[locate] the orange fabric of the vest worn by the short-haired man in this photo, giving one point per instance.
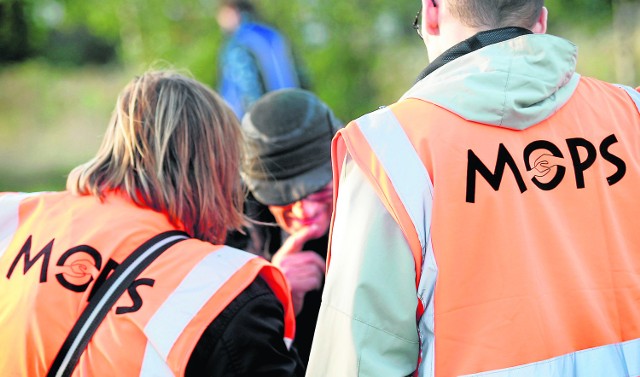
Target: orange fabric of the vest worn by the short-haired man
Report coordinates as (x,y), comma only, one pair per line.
(527,276)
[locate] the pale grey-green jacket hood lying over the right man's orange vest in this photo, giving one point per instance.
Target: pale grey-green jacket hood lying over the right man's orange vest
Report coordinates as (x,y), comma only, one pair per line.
(512,84)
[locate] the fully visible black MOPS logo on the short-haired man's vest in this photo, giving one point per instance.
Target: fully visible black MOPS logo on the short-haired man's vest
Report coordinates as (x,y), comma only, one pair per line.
(545,164)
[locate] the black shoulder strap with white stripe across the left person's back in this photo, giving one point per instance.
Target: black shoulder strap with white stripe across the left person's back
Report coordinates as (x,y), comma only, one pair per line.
(104,299)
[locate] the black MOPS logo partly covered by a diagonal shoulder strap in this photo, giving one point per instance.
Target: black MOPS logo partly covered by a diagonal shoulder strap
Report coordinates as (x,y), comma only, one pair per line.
(76,270)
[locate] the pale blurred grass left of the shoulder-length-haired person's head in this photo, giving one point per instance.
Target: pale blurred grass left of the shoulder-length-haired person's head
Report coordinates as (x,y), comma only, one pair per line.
(53,119)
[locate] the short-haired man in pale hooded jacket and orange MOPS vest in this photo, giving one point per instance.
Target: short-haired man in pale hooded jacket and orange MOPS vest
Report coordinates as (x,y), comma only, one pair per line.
(485,224)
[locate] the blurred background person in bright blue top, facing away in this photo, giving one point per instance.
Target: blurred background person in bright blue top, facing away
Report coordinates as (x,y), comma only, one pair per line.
(255,58)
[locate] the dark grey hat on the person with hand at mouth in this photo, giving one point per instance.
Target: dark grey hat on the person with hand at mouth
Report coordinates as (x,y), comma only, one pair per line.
(288,136)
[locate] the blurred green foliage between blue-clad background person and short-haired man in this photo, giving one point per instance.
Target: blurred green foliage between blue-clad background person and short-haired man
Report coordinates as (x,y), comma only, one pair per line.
(339,40)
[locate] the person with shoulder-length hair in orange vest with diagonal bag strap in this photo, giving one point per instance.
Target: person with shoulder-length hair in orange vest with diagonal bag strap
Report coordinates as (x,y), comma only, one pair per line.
(168,169)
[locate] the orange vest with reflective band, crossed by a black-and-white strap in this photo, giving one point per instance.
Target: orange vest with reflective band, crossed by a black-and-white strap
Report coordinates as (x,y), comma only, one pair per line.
(56,247)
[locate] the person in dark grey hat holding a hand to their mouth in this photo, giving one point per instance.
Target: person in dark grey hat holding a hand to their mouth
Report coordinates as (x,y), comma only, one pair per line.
(287,169)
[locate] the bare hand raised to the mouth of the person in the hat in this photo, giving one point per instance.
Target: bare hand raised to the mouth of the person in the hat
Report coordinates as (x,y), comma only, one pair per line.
(304,270)
